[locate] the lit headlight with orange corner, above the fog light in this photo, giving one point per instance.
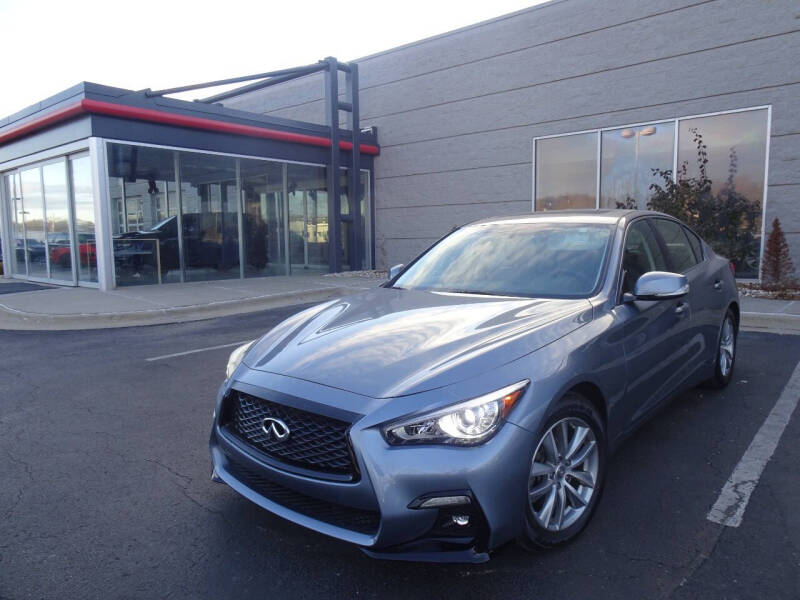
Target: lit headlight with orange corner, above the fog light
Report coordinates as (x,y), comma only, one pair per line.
(466,423)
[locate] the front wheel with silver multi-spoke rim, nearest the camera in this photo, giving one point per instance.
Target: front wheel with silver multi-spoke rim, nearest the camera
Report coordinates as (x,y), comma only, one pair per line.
(576,412)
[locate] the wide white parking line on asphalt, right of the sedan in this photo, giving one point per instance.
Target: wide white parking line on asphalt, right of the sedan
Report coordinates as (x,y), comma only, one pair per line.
(730,506)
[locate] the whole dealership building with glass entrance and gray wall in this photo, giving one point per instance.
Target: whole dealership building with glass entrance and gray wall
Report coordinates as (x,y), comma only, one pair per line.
(569,104)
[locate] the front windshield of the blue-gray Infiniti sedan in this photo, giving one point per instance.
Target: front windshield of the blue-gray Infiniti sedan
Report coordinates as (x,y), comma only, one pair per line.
(560,260)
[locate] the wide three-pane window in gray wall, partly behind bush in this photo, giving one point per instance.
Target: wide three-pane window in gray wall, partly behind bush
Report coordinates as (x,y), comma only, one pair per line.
(723,152)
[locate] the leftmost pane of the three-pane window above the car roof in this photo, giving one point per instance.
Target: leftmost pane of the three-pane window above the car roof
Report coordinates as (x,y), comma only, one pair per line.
(566,172)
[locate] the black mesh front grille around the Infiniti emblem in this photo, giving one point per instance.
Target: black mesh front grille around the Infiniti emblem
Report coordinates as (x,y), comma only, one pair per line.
(315,441)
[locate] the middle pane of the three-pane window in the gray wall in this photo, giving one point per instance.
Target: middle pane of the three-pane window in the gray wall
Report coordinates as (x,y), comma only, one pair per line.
(632,158)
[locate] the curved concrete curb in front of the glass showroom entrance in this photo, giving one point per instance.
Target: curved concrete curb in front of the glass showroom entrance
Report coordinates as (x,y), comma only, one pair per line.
(16,320)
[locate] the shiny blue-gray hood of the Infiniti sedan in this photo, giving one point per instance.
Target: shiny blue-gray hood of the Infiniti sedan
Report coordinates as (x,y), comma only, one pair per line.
(389,342)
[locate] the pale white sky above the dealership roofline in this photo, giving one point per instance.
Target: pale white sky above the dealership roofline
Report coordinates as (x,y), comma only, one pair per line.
(48,46)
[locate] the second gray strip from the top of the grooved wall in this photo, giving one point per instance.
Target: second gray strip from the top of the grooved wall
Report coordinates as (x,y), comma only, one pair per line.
(598,52)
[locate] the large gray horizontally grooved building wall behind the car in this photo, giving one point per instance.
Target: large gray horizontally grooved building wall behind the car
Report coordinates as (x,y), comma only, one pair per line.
(457,113)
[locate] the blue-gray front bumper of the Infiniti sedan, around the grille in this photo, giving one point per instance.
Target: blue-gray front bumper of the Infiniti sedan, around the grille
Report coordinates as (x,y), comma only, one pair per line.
(373,511)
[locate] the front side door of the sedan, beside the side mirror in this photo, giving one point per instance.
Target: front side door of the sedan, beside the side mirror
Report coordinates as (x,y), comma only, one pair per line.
(655,332)
